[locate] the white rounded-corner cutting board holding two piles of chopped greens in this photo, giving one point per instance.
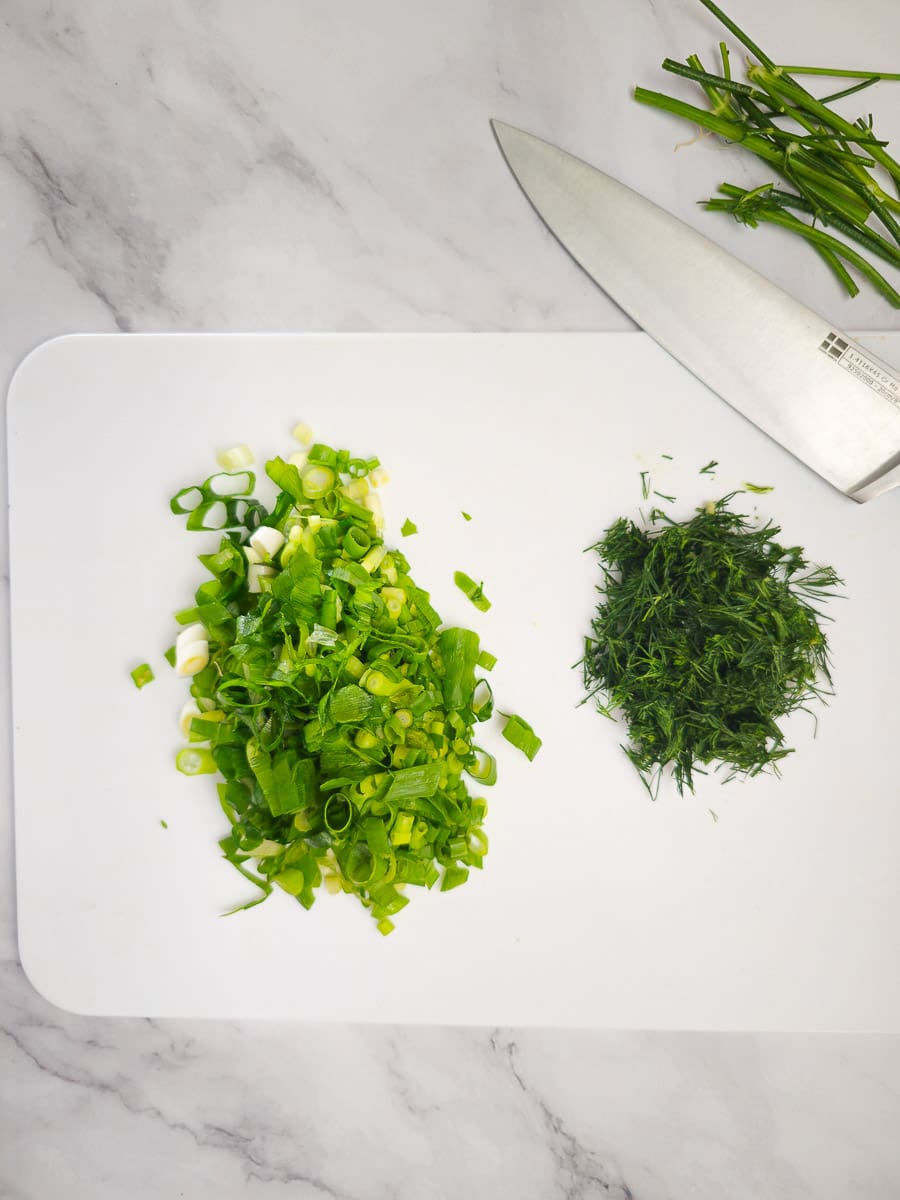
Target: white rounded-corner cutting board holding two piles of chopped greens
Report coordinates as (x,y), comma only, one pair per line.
(597,908)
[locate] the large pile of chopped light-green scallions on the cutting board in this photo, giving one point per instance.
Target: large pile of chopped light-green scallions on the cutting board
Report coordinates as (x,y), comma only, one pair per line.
(338,711)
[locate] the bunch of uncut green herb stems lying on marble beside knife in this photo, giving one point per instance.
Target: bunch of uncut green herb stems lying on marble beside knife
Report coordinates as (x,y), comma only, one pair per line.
(842,182)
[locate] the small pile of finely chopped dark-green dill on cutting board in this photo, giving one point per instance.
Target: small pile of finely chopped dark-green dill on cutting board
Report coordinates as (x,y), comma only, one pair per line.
(706,635)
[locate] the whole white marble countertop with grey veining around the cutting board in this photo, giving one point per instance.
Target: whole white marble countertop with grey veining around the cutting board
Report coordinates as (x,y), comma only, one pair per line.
(291,165)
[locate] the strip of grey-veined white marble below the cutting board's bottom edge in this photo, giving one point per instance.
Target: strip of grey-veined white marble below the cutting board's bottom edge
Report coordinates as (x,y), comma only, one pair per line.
(212,1109)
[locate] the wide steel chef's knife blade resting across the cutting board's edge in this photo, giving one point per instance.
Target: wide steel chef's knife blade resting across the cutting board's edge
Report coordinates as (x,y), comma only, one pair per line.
(812,388)
